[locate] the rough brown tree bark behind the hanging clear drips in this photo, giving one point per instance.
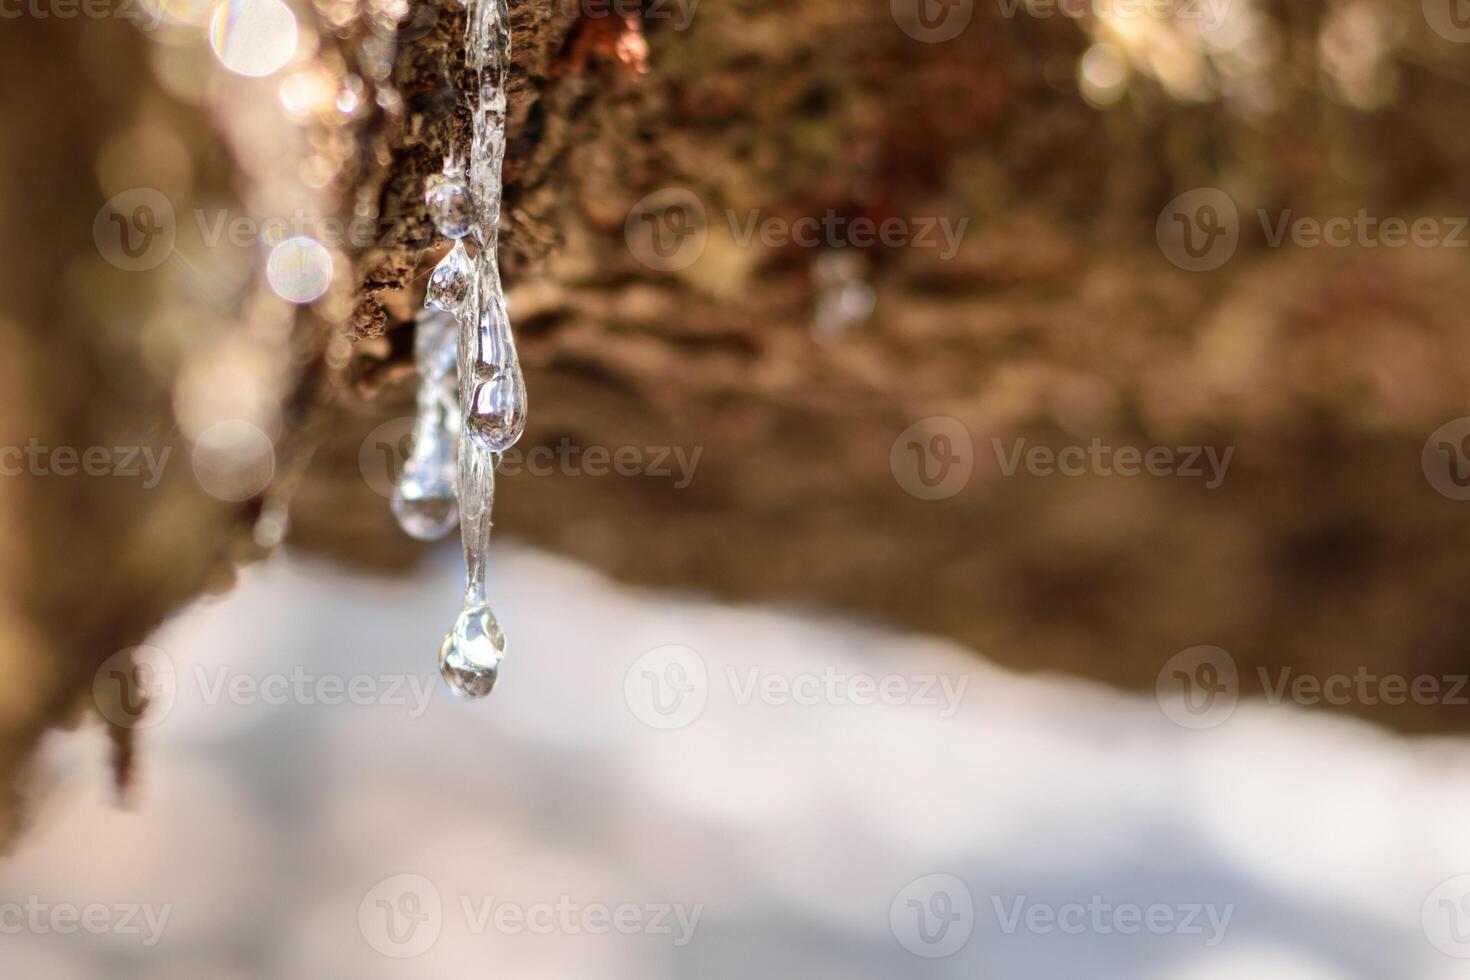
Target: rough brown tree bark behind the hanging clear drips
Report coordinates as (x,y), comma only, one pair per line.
(1059,320)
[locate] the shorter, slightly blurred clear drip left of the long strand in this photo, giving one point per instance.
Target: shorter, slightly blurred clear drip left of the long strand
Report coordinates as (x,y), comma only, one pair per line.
(426,499)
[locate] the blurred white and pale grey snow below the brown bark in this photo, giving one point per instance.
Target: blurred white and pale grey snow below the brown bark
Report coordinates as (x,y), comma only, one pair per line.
(664,787)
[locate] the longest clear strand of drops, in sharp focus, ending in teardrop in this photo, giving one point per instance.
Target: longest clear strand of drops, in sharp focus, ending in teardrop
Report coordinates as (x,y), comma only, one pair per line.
(492,390)
